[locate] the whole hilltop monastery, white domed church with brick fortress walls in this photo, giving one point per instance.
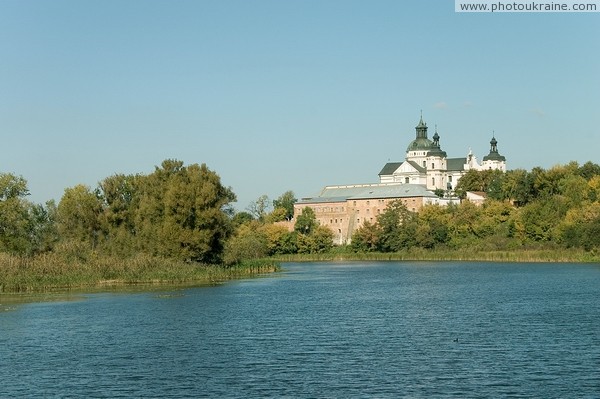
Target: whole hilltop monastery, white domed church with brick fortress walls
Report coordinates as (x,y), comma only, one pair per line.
(426,168)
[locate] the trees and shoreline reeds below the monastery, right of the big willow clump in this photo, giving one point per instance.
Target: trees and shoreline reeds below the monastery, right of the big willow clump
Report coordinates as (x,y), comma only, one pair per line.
(537,215)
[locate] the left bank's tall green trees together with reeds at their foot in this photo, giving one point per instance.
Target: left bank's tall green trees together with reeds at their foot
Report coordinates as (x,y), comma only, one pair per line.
(170,226)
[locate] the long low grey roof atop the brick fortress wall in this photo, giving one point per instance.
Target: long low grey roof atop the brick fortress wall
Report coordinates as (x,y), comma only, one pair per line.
(368,191)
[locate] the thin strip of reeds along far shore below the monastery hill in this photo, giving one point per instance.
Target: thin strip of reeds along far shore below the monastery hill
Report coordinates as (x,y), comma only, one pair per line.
(521,255)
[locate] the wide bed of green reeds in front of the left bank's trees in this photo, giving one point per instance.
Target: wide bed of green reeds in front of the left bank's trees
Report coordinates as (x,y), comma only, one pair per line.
(54,272)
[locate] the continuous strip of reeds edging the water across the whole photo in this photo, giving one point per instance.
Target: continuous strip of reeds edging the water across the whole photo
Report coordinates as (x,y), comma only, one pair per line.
(51,275)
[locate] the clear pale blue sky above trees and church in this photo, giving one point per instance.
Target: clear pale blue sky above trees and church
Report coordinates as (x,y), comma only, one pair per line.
(285,94)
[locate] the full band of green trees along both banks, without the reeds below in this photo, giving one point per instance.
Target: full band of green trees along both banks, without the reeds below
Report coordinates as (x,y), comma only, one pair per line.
(185,213)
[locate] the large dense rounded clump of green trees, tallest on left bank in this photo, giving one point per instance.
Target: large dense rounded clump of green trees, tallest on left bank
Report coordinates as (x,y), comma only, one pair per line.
(177,212)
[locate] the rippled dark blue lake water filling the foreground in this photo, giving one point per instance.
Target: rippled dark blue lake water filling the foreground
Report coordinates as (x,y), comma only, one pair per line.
(319,330)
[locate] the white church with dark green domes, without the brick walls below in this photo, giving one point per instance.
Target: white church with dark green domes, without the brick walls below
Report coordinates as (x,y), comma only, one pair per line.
(426,164)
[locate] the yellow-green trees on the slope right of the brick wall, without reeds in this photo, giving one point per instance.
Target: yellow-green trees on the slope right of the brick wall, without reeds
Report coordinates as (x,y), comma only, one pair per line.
(542,208)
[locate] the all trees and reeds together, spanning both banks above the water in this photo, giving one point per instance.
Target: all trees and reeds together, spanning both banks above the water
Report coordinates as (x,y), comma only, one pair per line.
(177,225)
